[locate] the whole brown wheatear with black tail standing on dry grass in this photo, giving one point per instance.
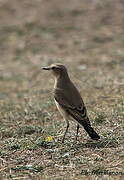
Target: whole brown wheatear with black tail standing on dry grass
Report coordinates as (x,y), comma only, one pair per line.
(69,101)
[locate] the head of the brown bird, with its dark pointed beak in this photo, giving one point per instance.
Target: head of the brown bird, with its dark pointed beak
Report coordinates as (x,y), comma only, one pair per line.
(57,69)
